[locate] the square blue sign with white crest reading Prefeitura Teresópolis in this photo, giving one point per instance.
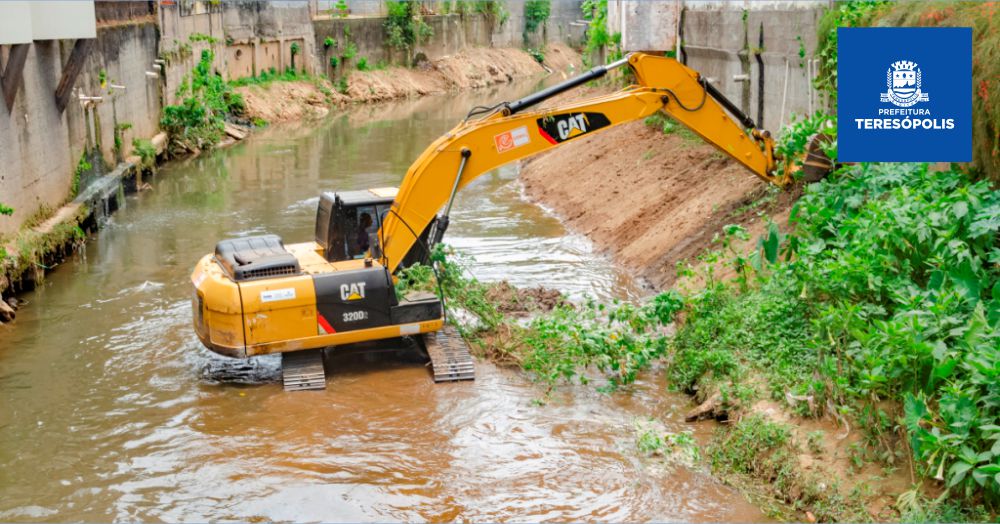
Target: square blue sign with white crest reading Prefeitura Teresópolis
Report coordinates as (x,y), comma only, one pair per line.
(904,94)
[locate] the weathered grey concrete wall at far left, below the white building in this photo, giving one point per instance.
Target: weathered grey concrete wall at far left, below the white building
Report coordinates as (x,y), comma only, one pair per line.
(40,146)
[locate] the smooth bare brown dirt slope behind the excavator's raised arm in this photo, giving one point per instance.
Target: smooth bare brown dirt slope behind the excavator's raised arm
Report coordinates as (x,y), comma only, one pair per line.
(649,199)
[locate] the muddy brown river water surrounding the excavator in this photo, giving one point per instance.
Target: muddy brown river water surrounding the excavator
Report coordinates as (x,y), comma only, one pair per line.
(111,410)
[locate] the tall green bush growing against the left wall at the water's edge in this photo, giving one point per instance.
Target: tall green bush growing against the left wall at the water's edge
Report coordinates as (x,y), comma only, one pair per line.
(198,122)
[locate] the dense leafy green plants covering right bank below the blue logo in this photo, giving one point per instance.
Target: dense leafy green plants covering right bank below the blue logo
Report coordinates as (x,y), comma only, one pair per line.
(889,288)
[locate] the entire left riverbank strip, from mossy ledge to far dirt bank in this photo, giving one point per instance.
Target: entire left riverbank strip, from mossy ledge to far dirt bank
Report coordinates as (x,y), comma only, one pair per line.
(55,233)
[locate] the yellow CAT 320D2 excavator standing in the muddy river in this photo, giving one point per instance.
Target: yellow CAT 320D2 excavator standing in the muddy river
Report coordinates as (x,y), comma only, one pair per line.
(256,295)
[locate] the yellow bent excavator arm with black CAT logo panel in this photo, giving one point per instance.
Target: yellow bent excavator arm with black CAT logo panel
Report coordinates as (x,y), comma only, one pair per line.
(511,132)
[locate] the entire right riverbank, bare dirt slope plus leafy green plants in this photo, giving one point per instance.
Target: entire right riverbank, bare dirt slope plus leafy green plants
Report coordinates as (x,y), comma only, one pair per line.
(798,336)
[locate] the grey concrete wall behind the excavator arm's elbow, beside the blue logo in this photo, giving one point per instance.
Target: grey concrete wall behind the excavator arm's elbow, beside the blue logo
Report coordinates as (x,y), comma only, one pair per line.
(724,39)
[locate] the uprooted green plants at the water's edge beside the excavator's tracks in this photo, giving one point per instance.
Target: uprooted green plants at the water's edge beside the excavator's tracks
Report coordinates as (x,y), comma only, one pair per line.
(619,340)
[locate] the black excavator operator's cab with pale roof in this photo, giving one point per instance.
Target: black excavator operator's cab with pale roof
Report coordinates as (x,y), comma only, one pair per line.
(347,222)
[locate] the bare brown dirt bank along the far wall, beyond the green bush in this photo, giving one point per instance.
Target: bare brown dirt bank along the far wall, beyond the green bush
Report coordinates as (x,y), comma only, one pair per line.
(470,69)
